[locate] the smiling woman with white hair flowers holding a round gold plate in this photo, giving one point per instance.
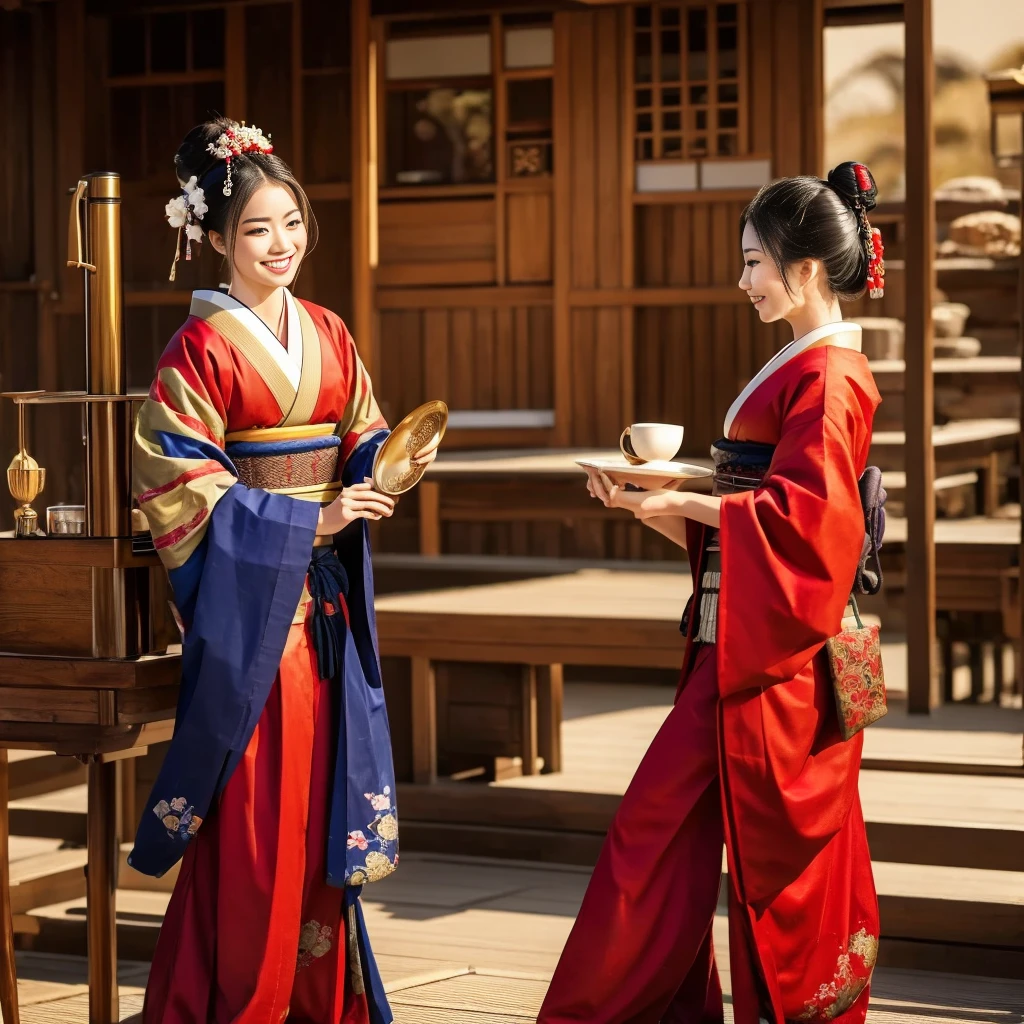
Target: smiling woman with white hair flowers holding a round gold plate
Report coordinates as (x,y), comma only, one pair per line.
(253,464)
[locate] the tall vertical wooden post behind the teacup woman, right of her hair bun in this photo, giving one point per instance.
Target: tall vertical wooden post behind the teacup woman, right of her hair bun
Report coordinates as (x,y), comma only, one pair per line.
(923,681)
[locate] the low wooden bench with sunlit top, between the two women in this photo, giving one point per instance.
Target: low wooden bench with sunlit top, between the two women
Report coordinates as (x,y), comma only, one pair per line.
(475,674)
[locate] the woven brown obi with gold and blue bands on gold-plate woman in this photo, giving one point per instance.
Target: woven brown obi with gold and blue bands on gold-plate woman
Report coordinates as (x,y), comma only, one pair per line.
(300,461)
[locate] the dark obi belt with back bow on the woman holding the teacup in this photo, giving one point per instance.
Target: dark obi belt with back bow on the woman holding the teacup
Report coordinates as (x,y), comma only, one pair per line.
(743,466)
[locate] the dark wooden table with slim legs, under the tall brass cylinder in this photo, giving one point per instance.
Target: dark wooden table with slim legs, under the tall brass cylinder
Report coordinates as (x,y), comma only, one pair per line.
(74,616)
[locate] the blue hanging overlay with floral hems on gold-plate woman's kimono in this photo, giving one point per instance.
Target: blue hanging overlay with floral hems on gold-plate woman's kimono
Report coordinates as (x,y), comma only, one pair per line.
(238,595)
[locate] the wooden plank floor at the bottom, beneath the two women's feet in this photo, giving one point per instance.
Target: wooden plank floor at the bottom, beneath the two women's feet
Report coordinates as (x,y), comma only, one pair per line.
(463,942)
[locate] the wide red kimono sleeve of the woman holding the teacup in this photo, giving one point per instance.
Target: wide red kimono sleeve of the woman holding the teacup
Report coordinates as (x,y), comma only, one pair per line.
(790,549)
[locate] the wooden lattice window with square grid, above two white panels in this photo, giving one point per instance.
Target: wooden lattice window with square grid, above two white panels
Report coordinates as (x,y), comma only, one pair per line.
(690,80)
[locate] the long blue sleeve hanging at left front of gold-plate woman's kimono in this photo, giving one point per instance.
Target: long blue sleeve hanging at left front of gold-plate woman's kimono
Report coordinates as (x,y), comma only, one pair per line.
(258,552)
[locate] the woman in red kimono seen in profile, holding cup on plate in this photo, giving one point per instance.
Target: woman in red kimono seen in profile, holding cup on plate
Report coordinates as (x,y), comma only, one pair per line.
(751,754)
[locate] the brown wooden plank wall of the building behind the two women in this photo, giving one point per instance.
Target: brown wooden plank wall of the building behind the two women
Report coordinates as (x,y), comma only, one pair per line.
(568,294)
